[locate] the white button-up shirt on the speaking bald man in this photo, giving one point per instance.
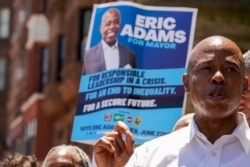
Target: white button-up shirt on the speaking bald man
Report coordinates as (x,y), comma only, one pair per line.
(188,147)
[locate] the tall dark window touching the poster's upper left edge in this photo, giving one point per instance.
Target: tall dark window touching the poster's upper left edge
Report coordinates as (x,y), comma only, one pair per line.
(85,16)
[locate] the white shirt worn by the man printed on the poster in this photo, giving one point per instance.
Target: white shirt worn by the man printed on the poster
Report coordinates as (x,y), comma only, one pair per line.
(111,55)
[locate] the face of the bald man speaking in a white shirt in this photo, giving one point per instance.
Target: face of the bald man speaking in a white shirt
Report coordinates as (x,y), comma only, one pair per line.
(215,81)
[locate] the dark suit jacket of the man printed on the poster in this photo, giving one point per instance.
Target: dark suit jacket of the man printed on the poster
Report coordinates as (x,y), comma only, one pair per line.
(94,59)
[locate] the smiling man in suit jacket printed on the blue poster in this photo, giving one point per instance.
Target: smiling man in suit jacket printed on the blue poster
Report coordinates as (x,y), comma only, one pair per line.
(109,53)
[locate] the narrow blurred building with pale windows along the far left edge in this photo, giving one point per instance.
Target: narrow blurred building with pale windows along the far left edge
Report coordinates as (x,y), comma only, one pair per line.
(5,25)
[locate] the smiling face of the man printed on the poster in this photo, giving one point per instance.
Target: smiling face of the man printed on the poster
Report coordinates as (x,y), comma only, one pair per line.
(110,26)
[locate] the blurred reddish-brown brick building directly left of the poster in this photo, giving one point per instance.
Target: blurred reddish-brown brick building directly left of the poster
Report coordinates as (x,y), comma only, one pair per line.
(46,56)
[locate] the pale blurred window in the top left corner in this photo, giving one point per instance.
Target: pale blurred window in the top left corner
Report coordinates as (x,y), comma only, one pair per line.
(4,22)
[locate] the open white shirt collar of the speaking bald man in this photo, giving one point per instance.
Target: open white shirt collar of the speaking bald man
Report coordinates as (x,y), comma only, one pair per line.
(242,131)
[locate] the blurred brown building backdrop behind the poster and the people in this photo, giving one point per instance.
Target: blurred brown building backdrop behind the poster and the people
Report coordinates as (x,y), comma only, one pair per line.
(41,49)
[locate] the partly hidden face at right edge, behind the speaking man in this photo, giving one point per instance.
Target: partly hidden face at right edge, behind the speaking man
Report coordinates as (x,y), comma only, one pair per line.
(245,101)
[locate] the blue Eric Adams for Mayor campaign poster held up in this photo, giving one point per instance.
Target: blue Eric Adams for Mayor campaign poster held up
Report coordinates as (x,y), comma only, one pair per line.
(133,64)
